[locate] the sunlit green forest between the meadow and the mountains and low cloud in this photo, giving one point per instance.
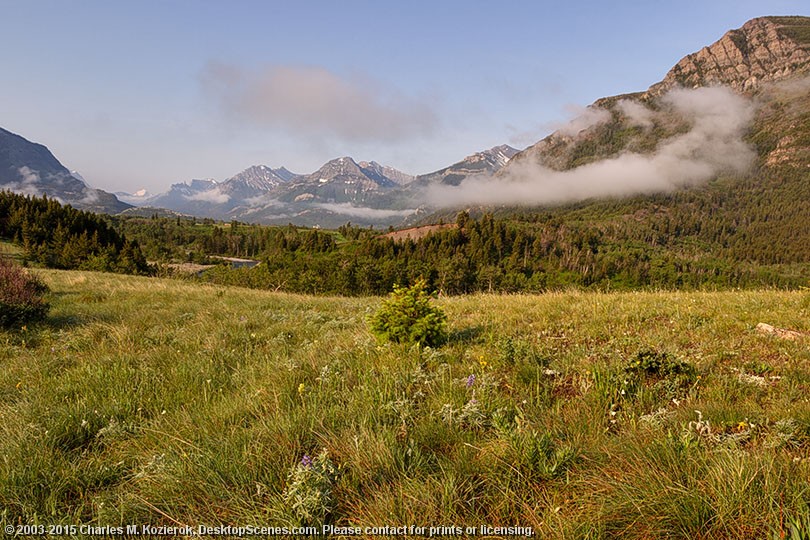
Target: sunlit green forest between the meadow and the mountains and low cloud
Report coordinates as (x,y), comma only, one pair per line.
(688,239)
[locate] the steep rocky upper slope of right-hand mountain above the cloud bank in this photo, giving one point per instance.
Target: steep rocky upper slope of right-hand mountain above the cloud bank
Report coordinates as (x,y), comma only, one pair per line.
(764,50)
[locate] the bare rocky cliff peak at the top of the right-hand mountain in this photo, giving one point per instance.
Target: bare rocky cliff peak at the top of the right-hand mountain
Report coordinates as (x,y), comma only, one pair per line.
(765,49)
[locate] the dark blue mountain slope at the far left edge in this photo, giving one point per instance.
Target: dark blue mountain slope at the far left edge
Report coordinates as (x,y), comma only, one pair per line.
(30,168)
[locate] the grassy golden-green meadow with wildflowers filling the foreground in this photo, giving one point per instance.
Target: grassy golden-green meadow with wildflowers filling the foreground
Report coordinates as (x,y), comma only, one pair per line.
(149,401)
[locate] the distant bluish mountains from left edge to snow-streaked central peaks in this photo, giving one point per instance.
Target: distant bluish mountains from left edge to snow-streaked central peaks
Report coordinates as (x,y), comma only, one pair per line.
(364,192)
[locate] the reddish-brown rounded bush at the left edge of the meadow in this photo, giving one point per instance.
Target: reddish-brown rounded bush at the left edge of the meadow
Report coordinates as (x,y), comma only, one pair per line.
(22,296)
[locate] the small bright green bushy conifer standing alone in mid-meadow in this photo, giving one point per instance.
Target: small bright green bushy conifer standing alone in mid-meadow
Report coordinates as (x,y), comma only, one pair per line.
(408,316)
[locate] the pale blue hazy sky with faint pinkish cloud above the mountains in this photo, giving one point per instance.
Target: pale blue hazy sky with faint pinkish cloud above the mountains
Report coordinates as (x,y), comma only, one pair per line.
(147,93)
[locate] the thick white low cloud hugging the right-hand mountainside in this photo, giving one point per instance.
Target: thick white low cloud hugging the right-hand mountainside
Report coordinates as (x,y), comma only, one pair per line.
(713,145)
